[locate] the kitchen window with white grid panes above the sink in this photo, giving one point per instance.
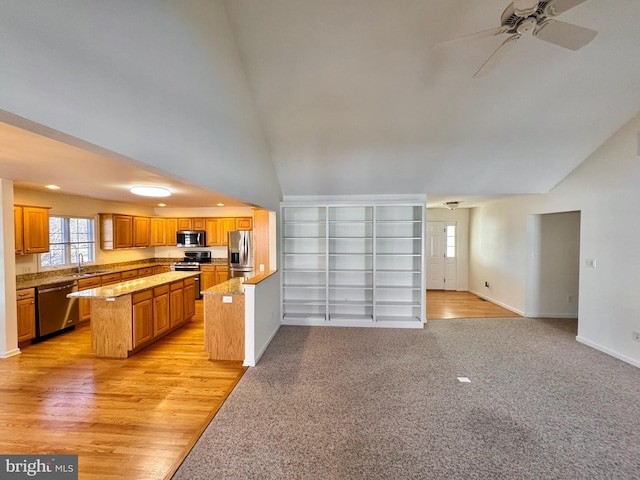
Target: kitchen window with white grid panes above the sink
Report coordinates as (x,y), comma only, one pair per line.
(68,238)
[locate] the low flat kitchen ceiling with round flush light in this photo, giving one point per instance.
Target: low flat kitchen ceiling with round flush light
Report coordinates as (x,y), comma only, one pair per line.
(33,160)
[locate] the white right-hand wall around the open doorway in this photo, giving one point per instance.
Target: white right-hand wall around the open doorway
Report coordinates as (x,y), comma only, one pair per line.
(605,190)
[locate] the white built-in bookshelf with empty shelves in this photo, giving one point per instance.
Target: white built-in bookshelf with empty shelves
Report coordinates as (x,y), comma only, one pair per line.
(353,265)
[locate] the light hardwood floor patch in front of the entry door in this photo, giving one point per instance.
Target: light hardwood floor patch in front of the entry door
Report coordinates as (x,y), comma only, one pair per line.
(450,304)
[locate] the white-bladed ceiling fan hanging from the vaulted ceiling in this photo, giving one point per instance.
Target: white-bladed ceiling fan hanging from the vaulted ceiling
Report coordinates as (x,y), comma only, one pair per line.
(531,17)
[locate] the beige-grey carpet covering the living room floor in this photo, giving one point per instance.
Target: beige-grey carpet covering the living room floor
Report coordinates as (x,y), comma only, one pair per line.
(340,403)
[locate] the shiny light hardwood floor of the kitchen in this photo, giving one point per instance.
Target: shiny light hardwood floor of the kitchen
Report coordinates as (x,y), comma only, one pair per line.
(135,418)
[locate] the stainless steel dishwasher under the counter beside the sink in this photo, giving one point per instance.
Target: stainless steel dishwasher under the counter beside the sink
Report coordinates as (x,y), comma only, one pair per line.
(55,311)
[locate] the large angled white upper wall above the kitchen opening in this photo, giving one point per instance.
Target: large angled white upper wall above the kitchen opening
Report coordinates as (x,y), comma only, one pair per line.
(159,82)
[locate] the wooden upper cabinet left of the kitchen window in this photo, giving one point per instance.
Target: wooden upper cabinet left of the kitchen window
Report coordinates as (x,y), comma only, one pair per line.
(31,229)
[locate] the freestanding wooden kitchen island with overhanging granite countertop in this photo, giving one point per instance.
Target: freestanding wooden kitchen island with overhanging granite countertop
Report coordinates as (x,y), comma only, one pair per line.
(129,316)
